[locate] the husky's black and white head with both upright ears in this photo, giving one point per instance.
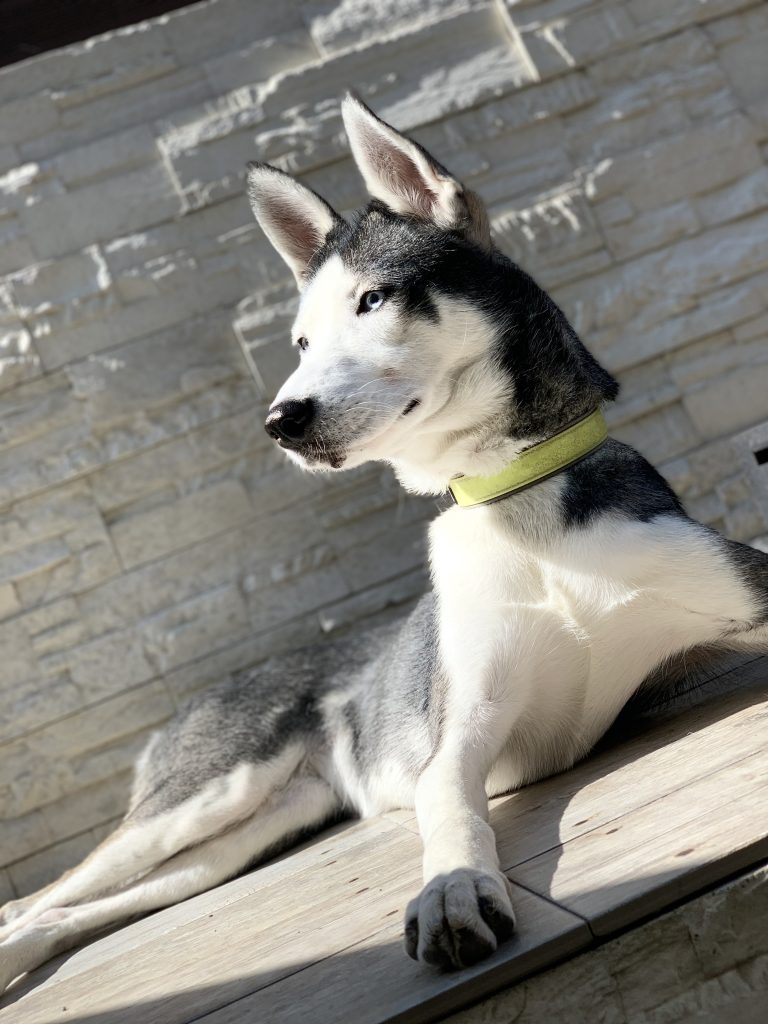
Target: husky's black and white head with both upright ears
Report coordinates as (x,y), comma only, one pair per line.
(410,324)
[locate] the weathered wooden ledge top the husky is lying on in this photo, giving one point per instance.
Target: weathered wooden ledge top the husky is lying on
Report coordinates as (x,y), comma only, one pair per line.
(650,820)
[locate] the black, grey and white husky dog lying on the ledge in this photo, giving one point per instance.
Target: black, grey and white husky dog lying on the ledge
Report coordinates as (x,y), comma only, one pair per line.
(423,347)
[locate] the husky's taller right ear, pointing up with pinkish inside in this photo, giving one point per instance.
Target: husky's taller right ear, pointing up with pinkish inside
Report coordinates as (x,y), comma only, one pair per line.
(405,178)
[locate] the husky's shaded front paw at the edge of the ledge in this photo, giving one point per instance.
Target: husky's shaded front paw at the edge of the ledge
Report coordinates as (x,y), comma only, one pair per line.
(459,919)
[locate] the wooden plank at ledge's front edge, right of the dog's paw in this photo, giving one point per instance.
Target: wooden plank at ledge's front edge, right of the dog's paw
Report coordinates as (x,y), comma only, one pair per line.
(662,852)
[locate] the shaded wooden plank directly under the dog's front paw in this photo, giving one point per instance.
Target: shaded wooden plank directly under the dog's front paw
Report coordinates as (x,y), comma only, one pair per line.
(373,982)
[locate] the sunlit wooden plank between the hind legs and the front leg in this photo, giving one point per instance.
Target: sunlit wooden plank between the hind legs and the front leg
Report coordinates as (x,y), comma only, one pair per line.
(280,927)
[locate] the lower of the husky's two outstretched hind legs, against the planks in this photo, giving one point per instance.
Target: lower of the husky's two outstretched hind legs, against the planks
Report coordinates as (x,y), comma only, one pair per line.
(306,801)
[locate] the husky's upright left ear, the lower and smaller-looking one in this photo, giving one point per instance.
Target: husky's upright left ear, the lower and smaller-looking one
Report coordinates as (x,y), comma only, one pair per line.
(295,220)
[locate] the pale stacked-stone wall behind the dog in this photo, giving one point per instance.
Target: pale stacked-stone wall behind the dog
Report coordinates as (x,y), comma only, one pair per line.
(151,541)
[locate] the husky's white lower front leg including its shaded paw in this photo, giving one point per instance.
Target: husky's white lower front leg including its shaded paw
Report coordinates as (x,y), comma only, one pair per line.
(464,910)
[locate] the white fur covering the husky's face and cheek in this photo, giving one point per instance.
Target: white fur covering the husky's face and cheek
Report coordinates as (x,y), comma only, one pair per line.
(363,372)
